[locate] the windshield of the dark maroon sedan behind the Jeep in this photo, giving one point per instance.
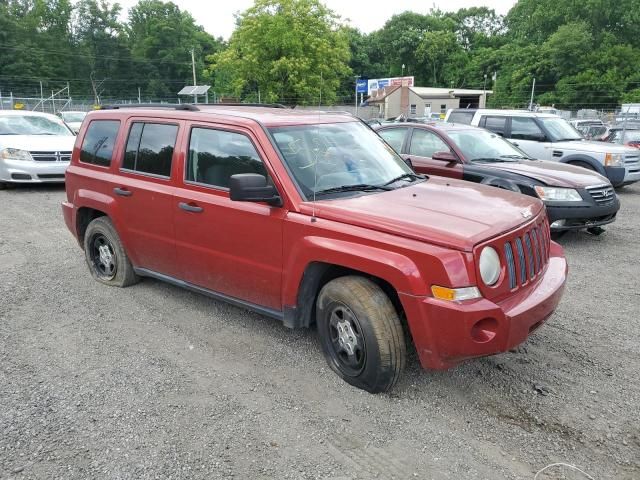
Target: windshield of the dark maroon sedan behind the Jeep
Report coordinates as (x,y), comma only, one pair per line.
(485,146)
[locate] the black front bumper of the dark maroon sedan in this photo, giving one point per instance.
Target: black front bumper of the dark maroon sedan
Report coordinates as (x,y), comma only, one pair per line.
(581,216)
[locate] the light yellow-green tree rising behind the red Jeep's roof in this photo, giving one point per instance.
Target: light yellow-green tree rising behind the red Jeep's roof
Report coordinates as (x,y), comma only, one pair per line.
(289,51)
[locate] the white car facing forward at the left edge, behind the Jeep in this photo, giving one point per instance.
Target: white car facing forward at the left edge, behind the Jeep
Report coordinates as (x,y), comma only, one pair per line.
(34,147)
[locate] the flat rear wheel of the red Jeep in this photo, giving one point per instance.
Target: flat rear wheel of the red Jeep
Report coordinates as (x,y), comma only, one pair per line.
(105,256)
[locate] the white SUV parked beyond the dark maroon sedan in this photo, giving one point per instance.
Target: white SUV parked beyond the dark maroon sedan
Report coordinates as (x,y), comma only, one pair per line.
(548,137)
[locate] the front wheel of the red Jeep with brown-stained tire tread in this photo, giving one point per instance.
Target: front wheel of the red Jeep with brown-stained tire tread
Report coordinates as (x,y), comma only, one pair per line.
(374,335)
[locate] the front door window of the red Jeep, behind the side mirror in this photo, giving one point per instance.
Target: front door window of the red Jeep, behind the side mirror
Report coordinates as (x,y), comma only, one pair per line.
(216,155)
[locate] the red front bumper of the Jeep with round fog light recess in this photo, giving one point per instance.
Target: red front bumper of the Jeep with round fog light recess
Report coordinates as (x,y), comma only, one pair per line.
(446,333)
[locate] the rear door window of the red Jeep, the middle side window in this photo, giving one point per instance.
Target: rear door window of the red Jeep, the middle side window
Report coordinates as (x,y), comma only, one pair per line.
(150,148)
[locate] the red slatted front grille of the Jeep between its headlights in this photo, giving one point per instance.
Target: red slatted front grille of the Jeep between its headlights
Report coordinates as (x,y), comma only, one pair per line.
(527,254)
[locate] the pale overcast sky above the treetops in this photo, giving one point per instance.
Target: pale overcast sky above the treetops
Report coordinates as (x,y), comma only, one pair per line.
(216,16)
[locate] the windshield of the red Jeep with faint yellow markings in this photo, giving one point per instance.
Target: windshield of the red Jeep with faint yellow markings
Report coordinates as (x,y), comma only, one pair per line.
(336,155)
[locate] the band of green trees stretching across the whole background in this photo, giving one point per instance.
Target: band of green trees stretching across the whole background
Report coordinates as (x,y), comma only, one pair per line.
(582,53)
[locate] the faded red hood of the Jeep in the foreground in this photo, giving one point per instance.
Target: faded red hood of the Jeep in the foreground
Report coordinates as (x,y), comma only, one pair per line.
(449,213)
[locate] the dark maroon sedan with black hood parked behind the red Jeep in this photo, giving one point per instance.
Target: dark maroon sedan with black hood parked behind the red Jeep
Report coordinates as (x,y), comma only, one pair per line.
(575,198)
